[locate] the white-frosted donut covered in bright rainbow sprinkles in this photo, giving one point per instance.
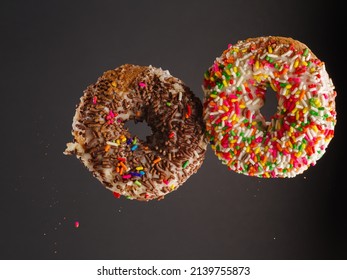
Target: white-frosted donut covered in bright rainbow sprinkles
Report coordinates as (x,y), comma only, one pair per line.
(235,87)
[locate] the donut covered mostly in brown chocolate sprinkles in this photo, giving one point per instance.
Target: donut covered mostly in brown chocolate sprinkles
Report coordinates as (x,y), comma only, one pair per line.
(125,164)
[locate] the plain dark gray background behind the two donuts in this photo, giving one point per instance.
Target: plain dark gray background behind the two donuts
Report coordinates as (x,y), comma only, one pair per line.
(52,50)
